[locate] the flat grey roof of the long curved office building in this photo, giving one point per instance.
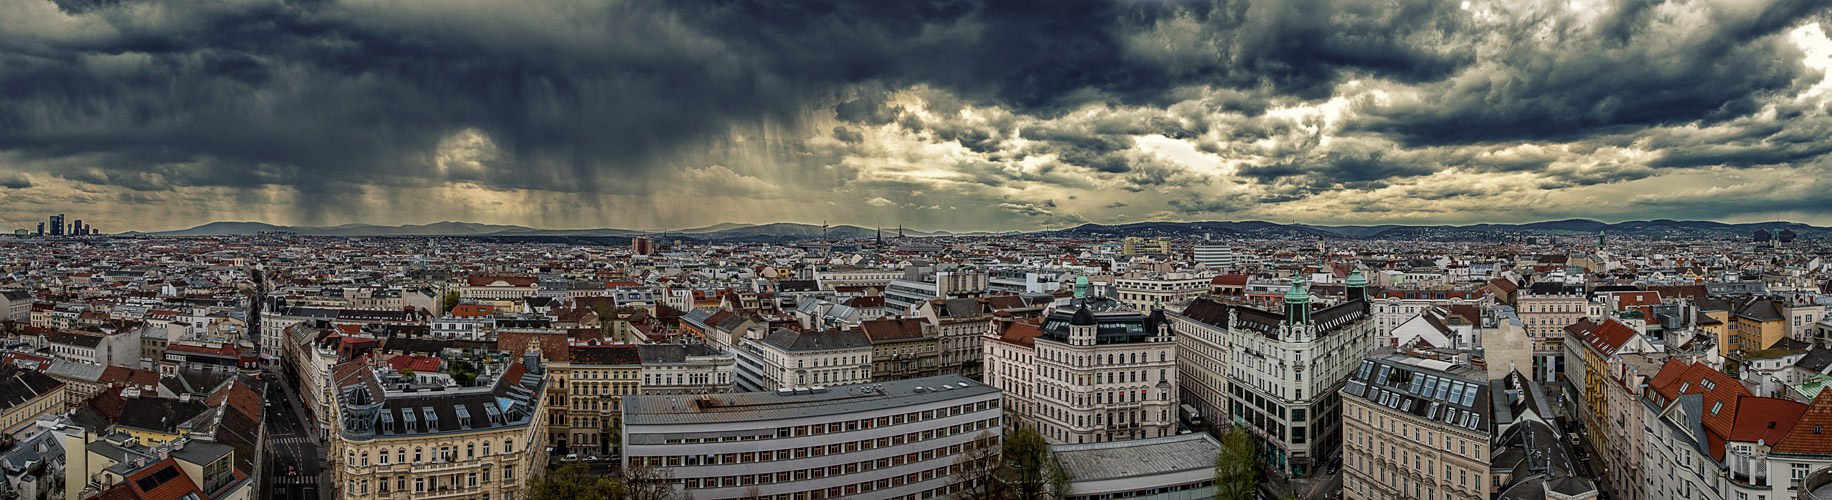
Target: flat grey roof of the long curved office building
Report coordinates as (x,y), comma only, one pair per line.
(785,406)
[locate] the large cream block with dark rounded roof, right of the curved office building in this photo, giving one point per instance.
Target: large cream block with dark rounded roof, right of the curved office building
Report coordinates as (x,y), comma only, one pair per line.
(1106,376)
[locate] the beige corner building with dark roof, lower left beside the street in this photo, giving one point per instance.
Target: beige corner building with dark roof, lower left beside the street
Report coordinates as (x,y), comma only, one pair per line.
(477,442)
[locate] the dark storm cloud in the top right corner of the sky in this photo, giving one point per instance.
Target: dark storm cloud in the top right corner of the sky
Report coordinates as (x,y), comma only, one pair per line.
(1554,78)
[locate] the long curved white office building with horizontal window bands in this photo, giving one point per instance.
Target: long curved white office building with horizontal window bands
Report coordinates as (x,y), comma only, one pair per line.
(882,440)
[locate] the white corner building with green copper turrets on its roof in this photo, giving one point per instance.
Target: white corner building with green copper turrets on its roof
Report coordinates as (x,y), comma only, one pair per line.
(1285,371)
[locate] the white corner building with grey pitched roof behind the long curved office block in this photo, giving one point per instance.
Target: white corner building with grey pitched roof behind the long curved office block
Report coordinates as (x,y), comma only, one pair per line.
(798,360)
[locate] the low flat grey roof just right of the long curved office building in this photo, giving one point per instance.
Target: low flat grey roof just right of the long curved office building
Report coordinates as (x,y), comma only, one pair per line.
(1113,461)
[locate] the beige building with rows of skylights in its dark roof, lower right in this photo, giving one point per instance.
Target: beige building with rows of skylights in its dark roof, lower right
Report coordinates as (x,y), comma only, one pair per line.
(1415,429)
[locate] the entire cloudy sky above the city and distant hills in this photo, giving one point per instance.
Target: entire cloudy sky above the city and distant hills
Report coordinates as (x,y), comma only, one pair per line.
(950,114)
